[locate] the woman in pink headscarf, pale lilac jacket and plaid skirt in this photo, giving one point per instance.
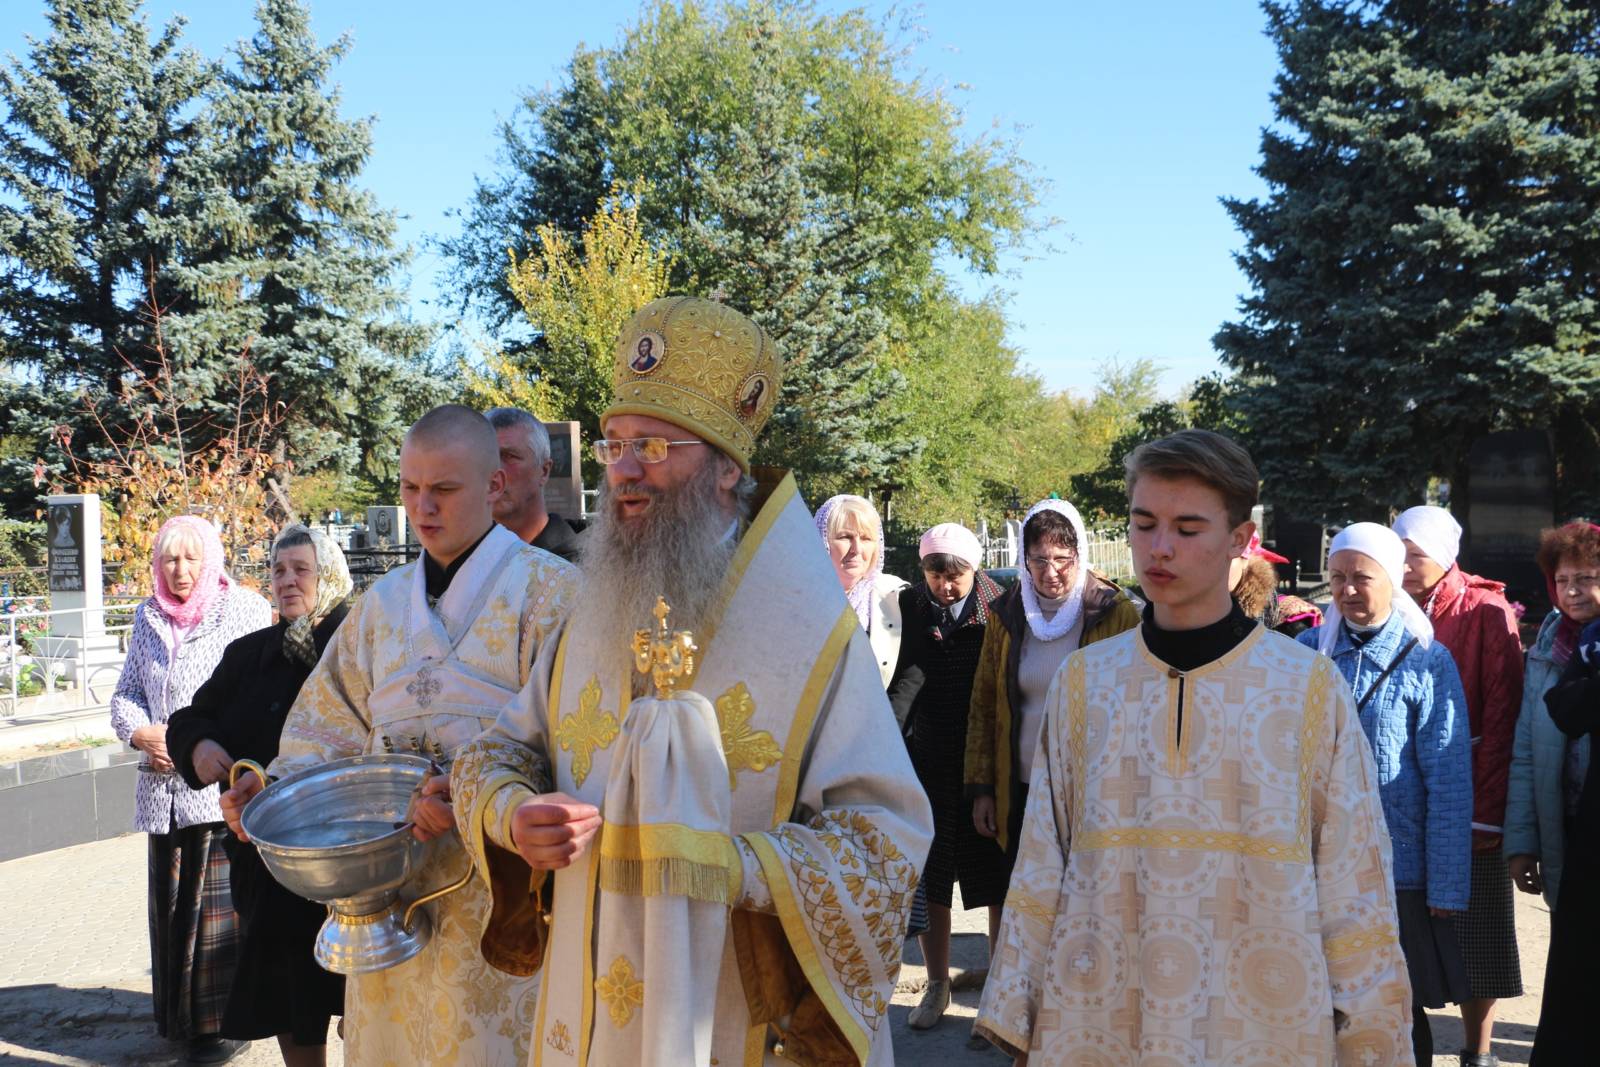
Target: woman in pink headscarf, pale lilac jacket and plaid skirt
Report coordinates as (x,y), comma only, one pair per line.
(178,639)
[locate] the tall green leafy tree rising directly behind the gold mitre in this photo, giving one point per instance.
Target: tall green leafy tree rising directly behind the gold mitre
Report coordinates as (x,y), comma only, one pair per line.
(793,169)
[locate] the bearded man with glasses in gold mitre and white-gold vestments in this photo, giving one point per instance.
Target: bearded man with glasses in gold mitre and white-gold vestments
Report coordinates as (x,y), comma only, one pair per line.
(814,877)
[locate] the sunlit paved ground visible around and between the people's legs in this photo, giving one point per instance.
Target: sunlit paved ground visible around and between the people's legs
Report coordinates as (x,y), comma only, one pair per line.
(76,972)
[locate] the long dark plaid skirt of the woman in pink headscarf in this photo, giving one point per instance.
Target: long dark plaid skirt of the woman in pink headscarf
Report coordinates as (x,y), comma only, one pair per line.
(193,930)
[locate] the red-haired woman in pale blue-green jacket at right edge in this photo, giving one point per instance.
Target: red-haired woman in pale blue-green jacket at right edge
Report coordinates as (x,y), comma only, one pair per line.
(1548,767)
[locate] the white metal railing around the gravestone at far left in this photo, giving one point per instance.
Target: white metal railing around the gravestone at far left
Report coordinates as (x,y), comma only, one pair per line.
(44,647)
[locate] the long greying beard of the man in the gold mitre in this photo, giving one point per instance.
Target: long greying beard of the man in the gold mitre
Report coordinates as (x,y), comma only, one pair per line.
(676,549)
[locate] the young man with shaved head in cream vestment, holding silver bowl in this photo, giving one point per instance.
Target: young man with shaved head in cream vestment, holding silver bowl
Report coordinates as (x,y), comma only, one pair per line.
(423,663)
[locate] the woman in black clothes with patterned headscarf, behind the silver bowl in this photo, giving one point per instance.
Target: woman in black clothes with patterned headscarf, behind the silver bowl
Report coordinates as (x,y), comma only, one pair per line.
(238,716)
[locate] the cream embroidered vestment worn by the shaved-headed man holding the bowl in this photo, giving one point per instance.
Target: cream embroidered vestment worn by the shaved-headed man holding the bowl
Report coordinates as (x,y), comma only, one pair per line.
(410,676)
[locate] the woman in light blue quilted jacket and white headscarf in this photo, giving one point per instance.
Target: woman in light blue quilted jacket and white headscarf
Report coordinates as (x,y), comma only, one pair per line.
(1415,716)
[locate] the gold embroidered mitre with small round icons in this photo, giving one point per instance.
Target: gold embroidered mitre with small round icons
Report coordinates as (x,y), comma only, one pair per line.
(700,366)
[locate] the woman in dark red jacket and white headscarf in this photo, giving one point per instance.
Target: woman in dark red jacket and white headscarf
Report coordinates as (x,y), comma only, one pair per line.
(1474,621)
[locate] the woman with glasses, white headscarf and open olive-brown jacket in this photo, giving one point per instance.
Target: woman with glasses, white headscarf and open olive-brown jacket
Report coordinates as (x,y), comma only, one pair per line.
(1057,607)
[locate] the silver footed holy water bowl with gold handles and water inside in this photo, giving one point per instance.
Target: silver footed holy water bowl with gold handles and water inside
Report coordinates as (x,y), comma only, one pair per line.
(338,834)
